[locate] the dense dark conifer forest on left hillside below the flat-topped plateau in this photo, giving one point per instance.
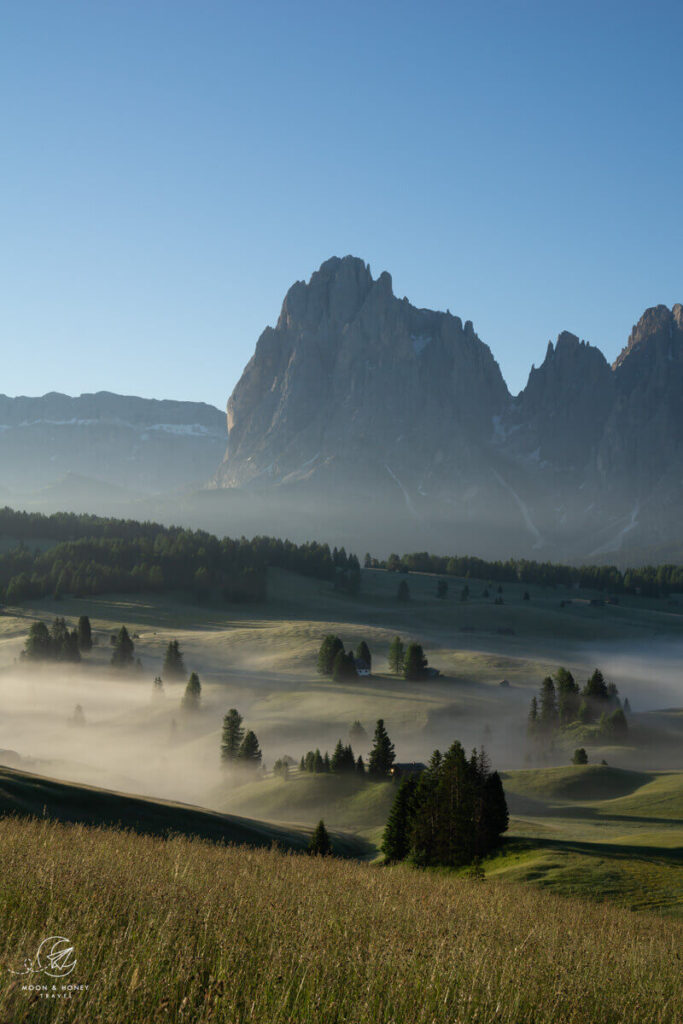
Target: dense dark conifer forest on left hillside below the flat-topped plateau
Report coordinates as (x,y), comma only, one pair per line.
(95,556)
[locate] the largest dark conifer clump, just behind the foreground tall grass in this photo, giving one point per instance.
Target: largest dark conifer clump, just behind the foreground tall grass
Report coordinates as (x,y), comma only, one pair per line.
(452,815)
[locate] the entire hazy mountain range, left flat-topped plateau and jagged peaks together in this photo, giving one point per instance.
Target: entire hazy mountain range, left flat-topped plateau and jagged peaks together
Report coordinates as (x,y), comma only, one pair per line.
(365,421)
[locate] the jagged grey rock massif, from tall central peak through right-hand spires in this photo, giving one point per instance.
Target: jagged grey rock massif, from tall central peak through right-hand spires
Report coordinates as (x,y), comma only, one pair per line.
(358,393)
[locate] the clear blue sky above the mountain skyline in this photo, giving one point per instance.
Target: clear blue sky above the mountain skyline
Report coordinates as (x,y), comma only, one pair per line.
(170,168)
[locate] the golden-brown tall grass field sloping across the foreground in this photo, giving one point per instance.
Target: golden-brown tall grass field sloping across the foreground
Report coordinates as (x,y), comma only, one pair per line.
(184,930)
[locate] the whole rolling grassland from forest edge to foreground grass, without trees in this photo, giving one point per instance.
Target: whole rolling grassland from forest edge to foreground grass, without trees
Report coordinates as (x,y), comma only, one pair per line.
(158,858)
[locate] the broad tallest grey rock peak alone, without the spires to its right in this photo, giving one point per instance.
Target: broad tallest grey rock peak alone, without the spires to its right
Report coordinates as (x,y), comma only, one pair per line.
(353,373)
